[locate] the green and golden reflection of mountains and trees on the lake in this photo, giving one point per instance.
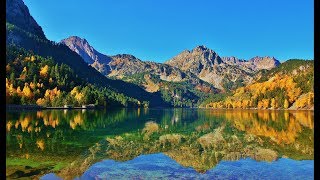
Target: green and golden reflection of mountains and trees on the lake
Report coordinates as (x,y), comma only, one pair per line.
(68,142)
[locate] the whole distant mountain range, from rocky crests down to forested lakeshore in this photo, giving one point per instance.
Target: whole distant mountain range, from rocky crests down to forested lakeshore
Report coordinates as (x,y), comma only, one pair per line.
(190,76)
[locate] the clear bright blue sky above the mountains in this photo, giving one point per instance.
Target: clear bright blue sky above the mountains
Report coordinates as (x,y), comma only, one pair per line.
(157,30)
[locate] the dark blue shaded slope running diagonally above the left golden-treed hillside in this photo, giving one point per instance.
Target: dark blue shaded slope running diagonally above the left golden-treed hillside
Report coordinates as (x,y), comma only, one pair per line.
(36,42)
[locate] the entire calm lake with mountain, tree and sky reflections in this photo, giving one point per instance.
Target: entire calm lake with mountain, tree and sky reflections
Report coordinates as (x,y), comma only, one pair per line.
(160,143)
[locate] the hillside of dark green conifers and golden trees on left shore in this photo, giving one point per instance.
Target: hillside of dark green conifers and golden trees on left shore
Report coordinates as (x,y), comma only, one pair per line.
(33,79)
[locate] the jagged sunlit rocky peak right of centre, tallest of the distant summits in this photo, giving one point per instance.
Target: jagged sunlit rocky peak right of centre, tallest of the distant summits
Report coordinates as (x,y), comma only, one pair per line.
(208,66)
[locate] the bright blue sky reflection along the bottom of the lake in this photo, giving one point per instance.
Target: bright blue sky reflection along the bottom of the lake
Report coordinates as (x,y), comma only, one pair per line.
(160,166)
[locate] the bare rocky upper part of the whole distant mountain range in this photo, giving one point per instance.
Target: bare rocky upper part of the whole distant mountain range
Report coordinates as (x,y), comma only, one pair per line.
(201,63)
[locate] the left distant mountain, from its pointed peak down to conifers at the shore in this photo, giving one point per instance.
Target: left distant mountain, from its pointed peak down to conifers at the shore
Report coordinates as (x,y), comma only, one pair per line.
(175,86)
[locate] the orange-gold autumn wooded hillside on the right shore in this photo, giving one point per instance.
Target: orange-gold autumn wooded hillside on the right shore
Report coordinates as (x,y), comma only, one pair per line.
(290,85)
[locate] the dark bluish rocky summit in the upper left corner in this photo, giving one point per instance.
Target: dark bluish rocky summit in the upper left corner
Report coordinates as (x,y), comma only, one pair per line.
(17,13)
